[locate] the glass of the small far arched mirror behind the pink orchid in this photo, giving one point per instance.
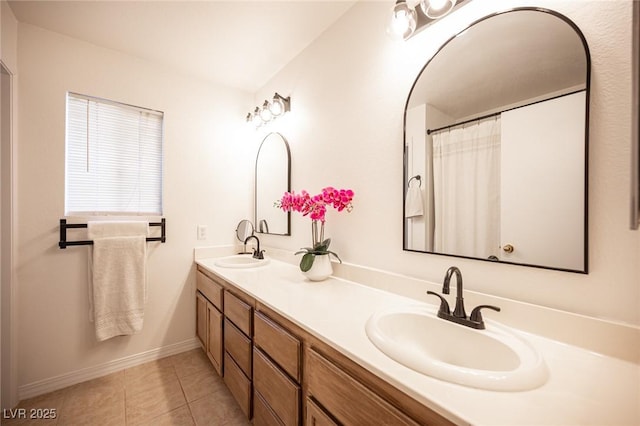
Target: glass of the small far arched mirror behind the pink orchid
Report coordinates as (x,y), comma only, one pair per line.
(273,179)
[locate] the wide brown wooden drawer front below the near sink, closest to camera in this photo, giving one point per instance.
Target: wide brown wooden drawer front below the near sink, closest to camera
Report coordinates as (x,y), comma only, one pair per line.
(350,402)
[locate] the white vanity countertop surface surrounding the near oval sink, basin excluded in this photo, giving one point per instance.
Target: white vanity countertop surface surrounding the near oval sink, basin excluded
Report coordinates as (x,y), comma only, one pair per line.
(584,388)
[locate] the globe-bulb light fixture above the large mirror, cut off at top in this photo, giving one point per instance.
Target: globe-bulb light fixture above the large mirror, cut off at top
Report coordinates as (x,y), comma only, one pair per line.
(407,21)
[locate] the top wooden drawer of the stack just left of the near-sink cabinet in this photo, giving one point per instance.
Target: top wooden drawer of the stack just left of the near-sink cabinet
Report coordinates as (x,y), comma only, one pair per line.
(279,344)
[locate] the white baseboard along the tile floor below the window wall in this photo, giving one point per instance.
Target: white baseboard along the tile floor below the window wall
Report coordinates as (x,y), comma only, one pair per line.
(62,381)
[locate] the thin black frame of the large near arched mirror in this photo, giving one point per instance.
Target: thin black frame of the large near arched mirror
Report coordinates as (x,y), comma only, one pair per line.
(586,142)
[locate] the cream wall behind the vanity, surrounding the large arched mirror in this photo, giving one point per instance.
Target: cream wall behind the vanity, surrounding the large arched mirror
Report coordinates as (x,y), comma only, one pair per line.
(348,94)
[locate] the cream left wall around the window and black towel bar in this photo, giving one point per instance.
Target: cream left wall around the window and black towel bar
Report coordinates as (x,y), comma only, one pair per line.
(207,176)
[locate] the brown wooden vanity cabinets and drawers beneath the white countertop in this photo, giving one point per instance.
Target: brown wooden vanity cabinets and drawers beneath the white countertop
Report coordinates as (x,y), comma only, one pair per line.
(280,373)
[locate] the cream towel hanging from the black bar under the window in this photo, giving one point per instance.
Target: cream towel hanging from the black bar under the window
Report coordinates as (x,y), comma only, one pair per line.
(117,277)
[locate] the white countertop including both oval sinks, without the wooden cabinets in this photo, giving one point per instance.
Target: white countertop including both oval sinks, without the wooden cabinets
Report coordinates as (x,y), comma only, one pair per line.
(498,375)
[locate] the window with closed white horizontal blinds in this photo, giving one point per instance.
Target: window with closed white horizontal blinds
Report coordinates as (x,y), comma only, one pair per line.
(113,158)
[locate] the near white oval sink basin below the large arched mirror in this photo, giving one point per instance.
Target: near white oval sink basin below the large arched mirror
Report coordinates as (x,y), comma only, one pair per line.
(493,359)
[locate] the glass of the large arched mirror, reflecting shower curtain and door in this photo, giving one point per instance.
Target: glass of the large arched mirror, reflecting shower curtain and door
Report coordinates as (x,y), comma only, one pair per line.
(496,128)
